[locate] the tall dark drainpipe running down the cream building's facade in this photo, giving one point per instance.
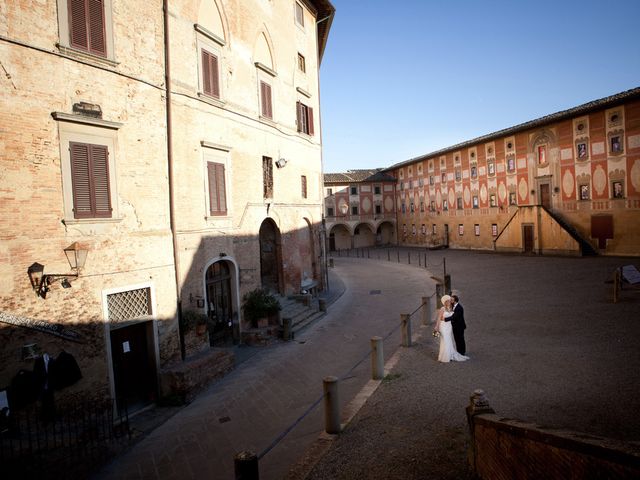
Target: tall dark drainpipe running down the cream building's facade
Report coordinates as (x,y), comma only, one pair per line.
(172,213)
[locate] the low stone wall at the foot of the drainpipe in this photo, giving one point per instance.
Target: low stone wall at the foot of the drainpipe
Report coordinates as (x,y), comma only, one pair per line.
(183,381)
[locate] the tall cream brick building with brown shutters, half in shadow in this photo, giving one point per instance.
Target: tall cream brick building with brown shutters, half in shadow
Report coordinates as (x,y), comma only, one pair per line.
(178,154)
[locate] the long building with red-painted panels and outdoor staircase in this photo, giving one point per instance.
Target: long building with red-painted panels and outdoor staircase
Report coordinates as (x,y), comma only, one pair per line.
(566,183)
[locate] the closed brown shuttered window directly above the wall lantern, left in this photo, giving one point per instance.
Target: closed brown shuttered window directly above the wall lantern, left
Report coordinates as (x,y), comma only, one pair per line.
(90,180)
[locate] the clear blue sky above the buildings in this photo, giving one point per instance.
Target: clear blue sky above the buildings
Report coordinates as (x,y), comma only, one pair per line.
(405,78)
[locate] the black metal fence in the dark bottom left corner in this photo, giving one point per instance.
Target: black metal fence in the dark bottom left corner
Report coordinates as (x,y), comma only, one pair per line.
(71,443)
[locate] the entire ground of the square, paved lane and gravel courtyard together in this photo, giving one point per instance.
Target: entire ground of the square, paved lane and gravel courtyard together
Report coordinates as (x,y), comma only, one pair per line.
(545,340)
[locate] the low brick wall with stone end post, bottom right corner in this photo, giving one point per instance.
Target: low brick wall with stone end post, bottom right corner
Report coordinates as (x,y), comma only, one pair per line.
(506,449)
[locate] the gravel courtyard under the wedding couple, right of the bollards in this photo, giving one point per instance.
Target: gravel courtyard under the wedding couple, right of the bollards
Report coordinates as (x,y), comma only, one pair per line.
(546,344)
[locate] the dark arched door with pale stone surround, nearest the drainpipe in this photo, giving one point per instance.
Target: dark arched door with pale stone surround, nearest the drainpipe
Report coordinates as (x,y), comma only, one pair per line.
(219,303)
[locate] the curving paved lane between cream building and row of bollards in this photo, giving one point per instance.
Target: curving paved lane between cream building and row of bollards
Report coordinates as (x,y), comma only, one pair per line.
(265,395)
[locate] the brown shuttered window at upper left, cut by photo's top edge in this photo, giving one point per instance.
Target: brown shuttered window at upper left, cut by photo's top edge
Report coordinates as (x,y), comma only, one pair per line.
(87,30)
